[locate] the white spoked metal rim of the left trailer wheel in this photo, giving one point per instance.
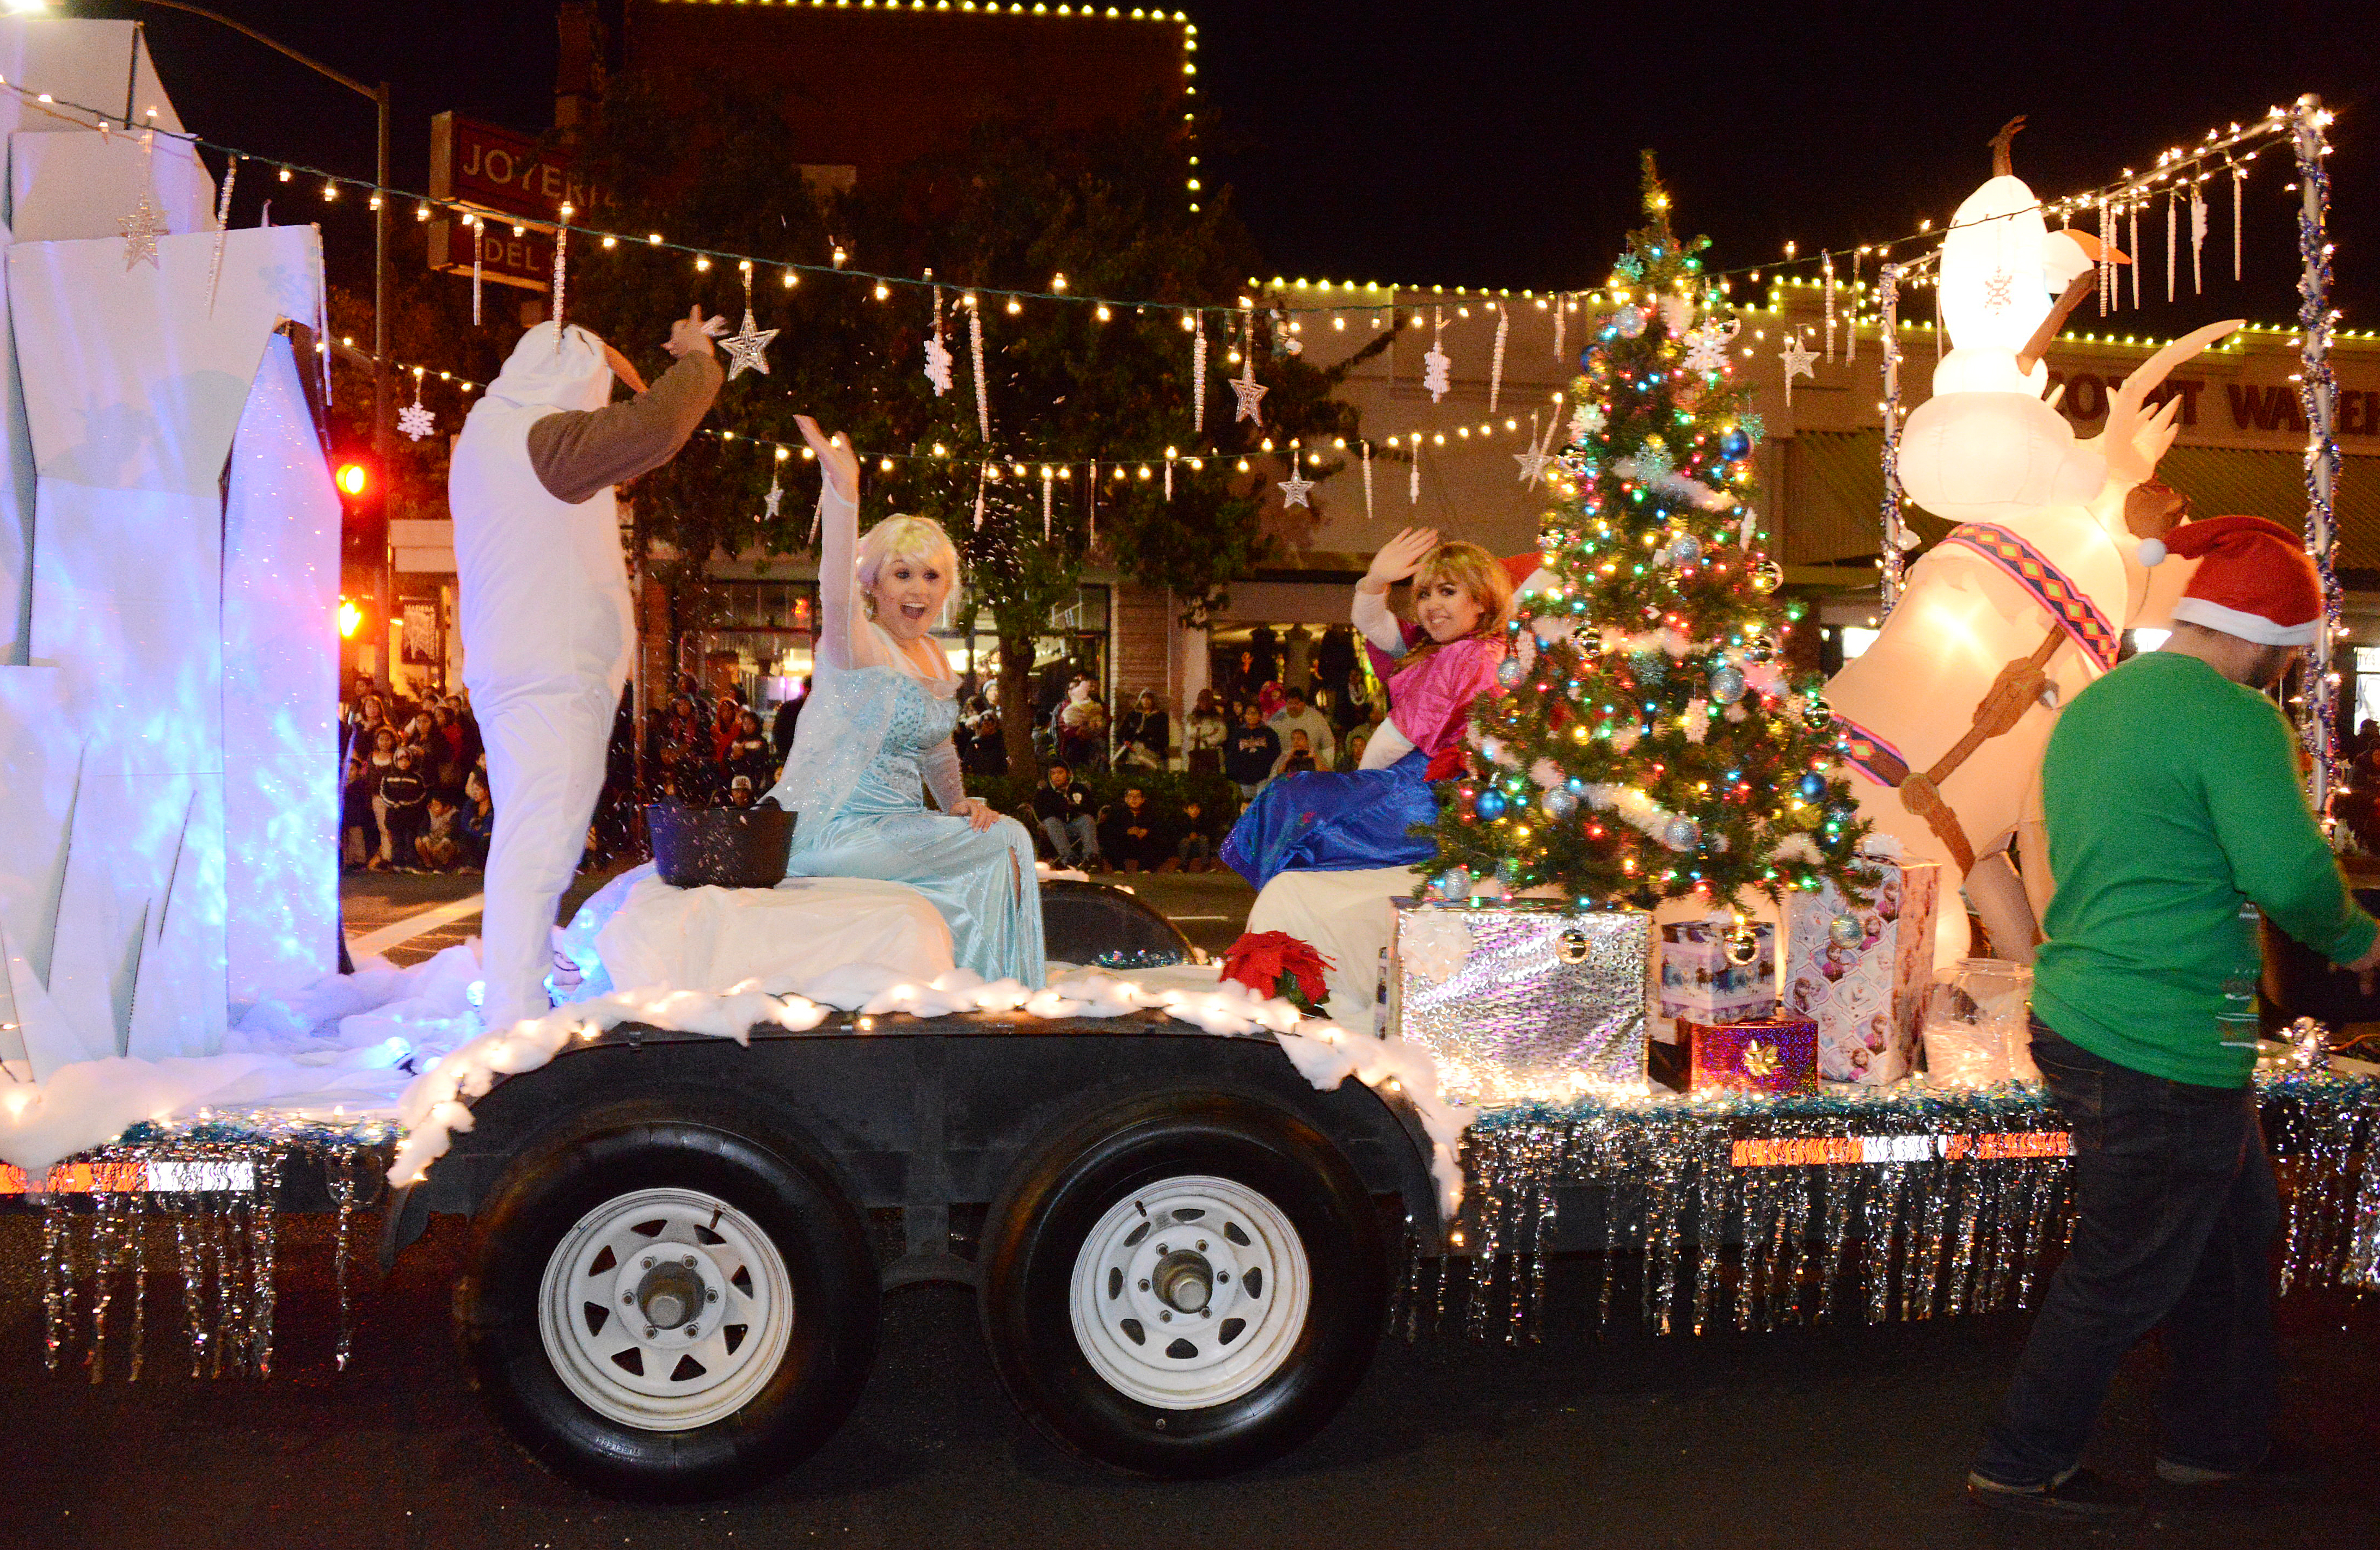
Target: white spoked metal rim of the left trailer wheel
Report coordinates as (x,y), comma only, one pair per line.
(665,1311)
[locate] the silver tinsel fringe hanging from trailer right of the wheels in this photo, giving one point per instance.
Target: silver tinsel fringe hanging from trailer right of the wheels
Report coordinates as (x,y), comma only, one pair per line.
(1941,1227)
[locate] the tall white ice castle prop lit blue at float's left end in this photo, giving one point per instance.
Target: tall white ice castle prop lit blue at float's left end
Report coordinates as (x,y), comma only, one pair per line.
(168,585)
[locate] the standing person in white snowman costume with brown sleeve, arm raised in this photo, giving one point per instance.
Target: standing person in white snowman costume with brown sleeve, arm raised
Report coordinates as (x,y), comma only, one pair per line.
(549,627)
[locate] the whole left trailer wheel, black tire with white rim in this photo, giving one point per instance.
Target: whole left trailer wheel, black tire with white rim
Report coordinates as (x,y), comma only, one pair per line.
(668,1308)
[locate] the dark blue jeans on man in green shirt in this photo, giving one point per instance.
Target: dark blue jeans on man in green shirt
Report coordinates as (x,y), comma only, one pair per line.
(2177,1213)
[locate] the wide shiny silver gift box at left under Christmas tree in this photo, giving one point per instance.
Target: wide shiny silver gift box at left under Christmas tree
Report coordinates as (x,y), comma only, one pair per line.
(1524,999)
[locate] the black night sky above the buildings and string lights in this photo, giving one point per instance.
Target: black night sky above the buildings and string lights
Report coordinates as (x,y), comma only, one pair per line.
(1493,144)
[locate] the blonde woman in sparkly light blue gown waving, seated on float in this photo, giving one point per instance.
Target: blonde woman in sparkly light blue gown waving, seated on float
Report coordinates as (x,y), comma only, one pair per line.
(877,732)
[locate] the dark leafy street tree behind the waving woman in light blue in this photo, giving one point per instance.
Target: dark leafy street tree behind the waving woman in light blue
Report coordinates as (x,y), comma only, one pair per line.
(1010,211)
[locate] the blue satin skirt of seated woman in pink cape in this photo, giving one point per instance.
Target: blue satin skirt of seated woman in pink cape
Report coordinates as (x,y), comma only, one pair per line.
(1336,823)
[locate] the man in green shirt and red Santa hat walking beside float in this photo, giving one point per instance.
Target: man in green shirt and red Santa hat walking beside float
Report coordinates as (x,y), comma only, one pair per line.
(2174,818)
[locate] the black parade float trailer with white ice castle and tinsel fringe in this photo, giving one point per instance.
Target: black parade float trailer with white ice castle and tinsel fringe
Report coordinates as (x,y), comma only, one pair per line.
(1189,1211)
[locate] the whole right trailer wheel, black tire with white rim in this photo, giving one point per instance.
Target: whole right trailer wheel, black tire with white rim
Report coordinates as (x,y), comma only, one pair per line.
(1184,1285)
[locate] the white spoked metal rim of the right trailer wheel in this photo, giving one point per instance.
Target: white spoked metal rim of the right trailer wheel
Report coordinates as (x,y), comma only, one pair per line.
(1255,1292)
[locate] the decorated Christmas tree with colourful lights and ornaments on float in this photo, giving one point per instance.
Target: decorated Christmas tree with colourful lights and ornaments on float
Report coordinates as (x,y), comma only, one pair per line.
(1646,742)
